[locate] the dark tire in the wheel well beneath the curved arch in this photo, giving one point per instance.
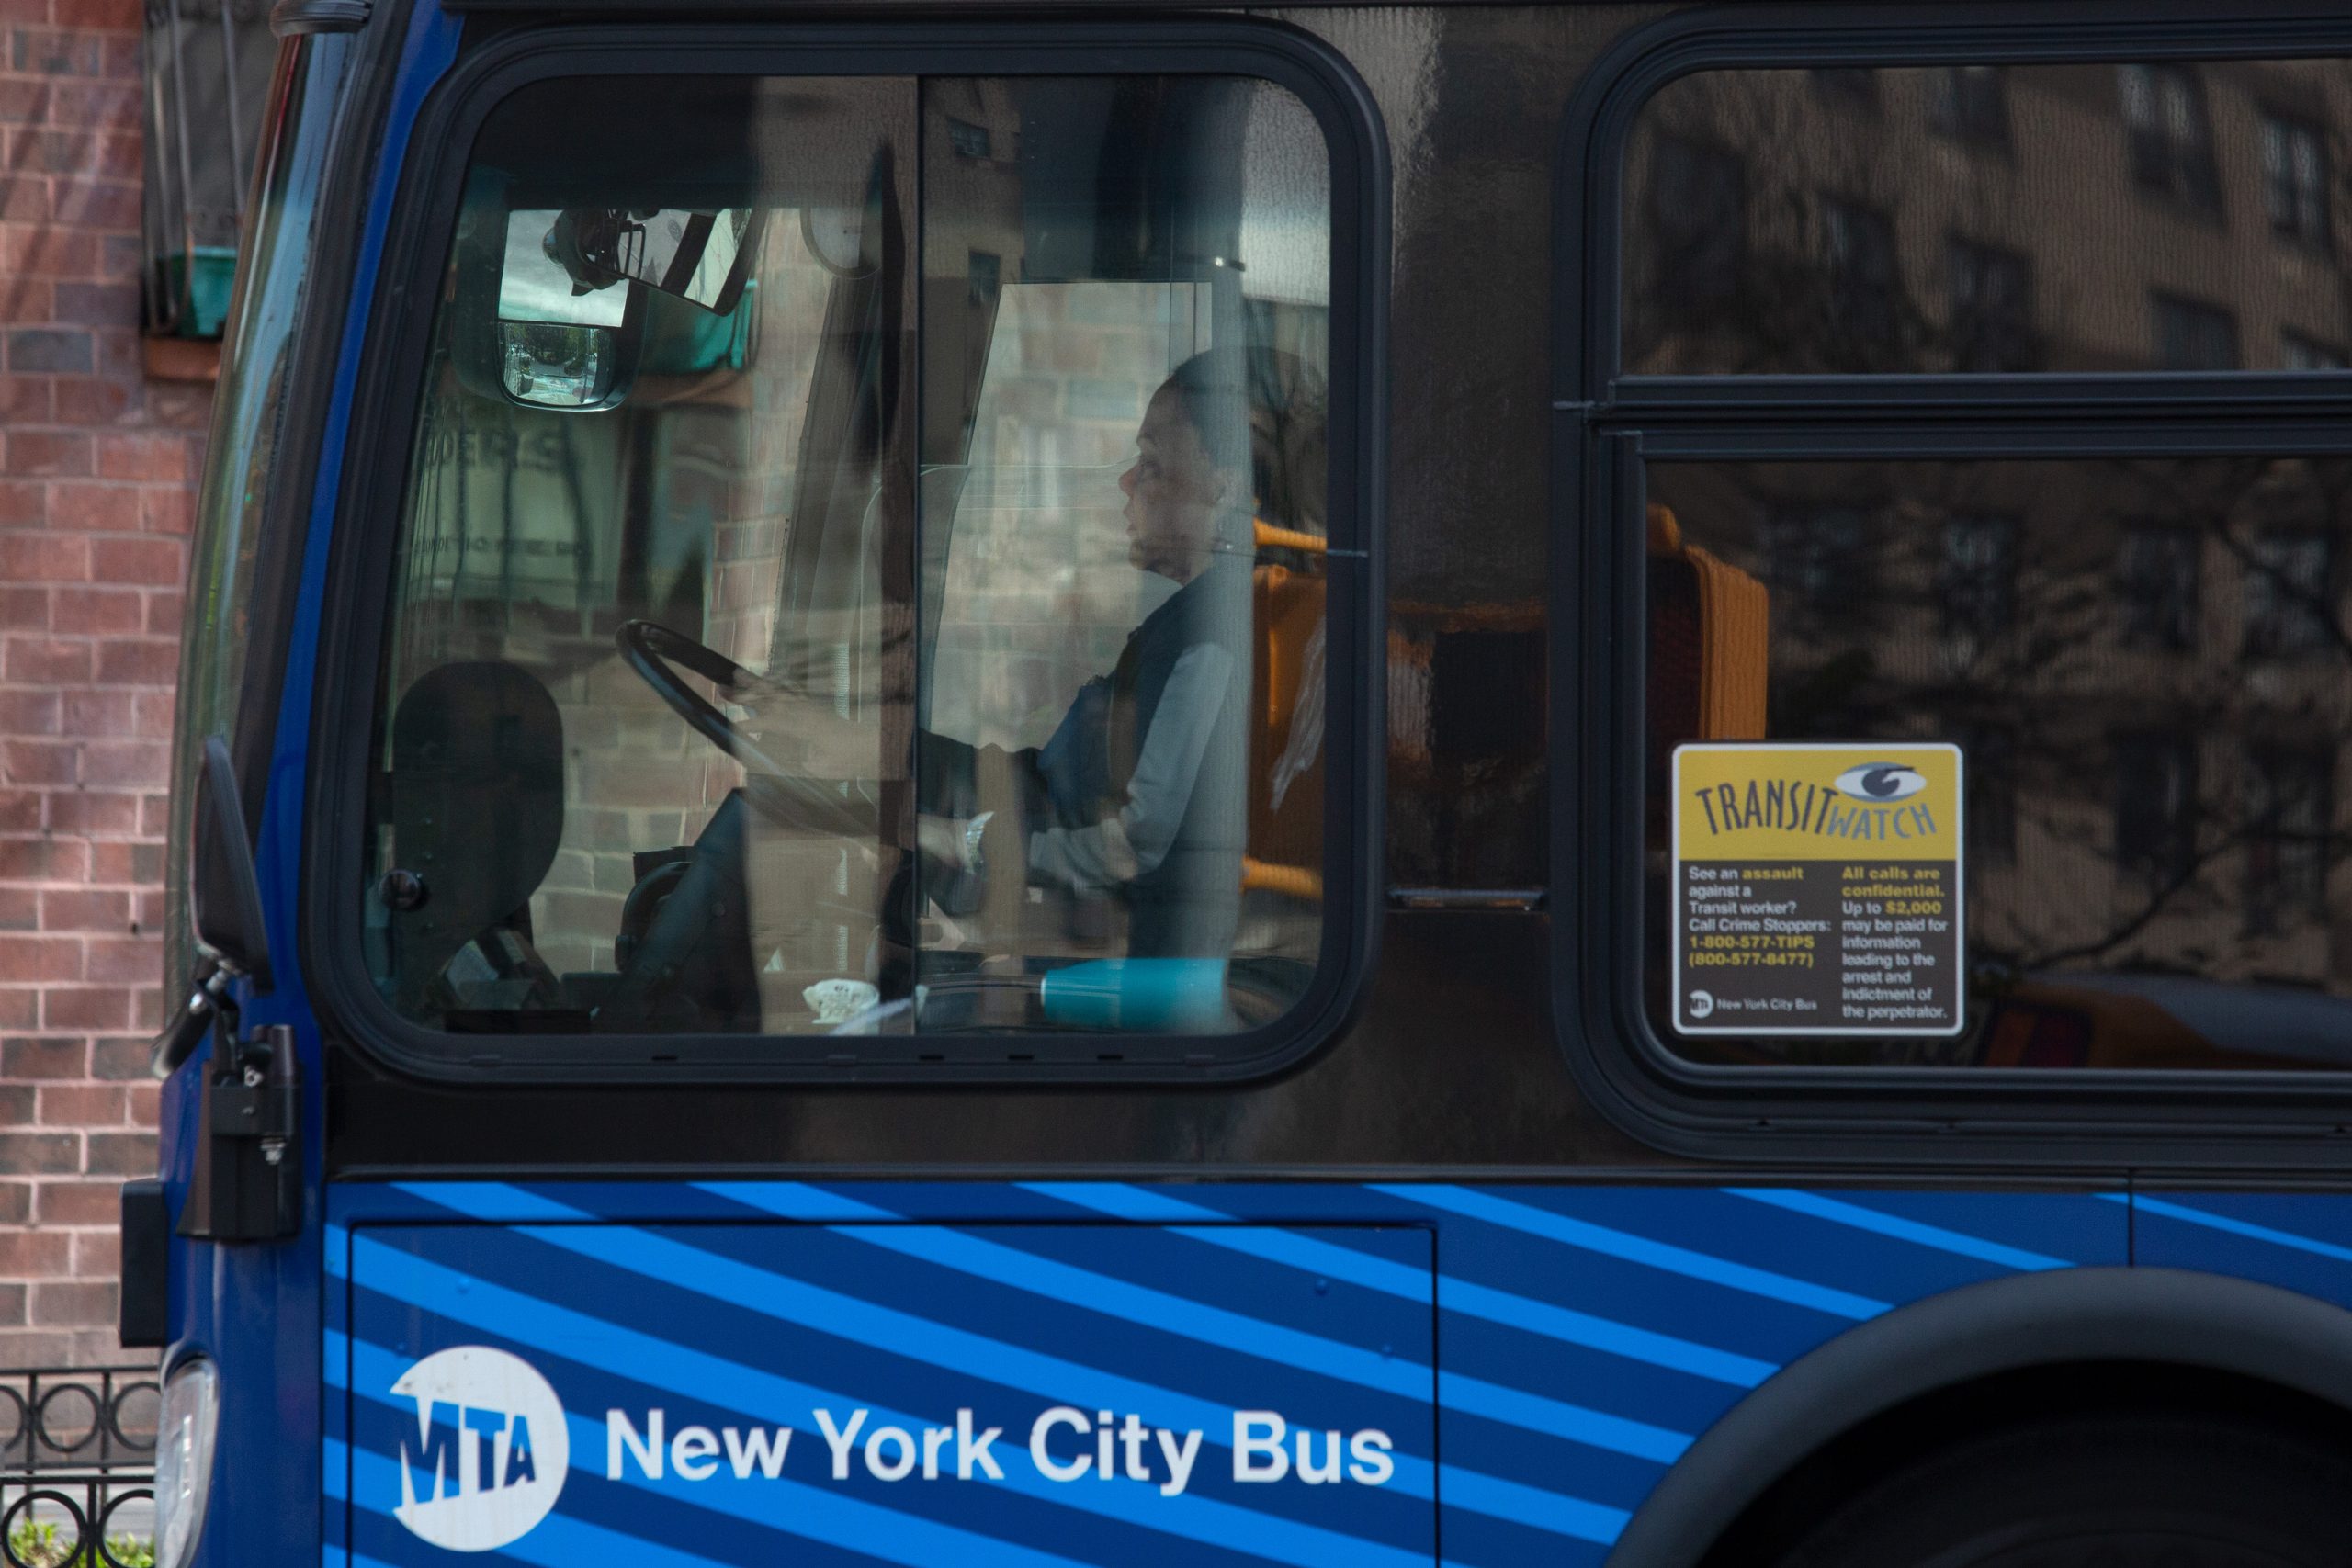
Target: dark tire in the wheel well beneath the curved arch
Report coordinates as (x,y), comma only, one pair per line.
(2102,1492)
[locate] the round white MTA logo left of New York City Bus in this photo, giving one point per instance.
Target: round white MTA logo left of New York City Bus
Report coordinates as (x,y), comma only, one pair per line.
(486,1459)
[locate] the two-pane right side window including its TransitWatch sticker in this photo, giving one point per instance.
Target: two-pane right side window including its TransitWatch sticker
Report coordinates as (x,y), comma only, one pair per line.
(2134,657)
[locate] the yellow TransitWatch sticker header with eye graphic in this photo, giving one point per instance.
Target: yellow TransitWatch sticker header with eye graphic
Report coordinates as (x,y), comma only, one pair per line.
(1817,803)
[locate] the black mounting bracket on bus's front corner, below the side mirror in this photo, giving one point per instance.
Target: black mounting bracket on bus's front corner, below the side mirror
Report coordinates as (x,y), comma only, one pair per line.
(248,1177)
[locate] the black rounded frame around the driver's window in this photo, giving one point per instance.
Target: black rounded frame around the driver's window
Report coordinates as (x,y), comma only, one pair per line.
(375,485)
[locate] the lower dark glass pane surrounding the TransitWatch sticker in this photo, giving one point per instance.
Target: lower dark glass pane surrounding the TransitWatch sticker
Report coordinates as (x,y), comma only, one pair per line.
(2144,664)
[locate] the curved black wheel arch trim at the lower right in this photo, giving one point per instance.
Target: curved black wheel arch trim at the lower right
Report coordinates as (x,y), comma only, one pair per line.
(2266,1346)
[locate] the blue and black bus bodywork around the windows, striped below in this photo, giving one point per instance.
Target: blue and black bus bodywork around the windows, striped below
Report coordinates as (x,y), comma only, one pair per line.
(1601,1322)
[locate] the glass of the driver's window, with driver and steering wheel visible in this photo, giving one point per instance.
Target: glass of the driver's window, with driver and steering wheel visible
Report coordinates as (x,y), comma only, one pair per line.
(902,610)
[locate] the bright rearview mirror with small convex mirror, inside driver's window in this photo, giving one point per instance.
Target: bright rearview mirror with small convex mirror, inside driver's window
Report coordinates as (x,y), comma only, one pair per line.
(561,344)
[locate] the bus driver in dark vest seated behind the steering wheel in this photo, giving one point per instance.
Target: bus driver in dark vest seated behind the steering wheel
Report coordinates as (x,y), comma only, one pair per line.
(1142,793)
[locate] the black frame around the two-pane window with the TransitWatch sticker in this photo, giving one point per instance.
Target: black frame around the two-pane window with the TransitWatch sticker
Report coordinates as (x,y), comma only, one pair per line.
(1612,424)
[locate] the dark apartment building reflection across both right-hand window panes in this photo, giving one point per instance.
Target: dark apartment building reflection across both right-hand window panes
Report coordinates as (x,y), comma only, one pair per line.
(2144,659)
